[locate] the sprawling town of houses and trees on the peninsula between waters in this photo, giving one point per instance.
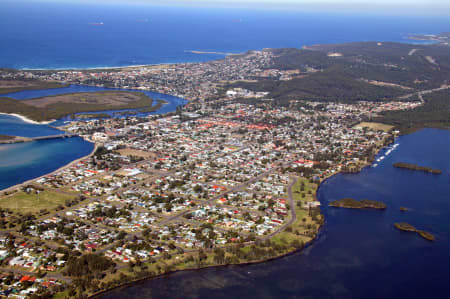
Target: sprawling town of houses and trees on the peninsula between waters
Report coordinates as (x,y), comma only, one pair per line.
(229,178)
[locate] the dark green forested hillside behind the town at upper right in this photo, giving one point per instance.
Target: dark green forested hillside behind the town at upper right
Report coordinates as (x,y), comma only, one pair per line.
(356,71)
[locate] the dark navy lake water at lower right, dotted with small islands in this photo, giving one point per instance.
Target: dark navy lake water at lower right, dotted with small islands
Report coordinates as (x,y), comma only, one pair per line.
(359,254)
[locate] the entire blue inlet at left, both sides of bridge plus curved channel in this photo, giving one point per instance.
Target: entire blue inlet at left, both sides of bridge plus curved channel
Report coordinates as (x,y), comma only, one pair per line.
(21,162)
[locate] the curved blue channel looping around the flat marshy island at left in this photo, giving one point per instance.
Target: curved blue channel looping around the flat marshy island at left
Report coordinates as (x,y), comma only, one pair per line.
(172,101)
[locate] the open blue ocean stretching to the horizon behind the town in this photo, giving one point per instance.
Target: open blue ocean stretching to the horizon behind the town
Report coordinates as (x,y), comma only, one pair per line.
(37,34)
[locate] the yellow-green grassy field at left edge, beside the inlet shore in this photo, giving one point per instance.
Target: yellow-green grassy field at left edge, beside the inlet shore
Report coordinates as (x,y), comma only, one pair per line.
(23,202)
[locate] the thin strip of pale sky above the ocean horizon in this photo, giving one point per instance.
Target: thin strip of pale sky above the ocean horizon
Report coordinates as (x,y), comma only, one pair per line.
(381,6)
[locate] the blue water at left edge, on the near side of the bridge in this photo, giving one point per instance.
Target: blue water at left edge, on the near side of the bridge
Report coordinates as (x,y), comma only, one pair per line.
(24,161)
